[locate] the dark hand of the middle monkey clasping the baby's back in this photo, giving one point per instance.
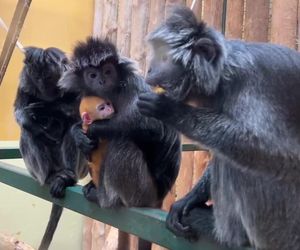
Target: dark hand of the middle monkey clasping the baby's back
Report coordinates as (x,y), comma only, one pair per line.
(82,141)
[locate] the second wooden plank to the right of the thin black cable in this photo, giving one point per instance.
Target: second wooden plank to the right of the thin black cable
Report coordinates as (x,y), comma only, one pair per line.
(256,23)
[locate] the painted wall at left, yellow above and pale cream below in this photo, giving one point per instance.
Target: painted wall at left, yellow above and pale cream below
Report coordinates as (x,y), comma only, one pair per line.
(49,23)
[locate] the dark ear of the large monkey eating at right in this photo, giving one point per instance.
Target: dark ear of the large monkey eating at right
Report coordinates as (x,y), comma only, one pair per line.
(206,48)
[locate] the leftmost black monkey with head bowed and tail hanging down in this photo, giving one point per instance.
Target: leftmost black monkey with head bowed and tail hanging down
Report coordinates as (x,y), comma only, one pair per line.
(45,115)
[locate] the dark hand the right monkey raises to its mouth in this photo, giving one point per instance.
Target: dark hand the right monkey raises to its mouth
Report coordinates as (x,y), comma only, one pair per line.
(159,106)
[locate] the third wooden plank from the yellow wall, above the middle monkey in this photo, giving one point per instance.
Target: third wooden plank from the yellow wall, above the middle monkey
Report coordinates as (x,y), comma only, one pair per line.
(124,27)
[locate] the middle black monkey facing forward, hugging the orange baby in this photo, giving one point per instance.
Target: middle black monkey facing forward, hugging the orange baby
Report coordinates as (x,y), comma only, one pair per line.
(143,155)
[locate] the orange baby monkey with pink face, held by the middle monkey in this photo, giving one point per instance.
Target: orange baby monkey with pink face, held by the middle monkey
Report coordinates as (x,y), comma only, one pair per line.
(94,108)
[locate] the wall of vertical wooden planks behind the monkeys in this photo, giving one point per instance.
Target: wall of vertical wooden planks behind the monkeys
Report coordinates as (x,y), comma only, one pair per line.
(127,23)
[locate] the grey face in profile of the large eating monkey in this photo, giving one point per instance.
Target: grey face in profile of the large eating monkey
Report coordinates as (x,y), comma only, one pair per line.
(166,73)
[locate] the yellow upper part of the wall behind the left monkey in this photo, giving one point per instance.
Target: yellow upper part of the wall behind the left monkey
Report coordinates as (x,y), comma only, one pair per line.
(49,23)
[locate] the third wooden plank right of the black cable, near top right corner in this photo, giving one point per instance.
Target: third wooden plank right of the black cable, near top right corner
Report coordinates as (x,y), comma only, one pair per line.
(283,28)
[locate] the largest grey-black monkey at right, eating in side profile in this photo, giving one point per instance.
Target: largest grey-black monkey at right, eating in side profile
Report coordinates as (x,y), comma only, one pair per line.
(248,119)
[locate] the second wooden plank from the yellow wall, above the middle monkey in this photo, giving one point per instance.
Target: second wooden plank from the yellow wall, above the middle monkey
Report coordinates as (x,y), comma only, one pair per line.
(110,20)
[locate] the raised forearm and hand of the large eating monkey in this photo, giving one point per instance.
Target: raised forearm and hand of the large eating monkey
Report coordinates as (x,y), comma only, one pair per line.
(225,135)
